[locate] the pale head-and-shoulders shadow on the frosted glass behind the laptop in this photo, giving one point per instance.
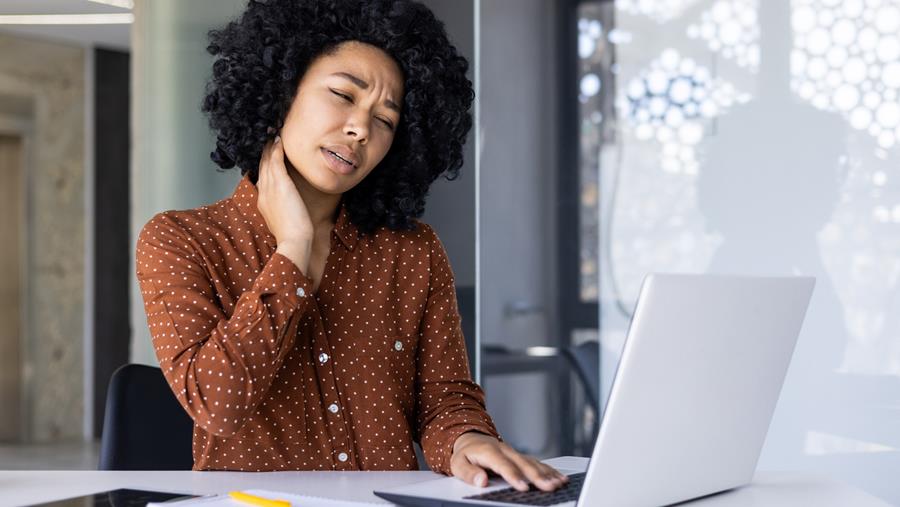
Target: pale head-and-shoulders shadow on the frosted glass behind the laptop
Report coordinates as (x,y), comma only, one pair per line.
(769,184)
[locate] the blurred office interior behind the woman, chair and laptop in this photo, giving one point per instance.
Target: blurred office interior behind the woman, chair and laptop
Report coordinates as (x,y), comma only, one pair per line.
(612,139)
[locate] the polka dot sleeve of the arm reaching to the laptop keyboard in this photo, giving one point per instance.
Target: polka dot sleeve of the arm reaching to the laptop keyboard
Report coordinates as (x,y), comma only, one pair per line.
(449,403)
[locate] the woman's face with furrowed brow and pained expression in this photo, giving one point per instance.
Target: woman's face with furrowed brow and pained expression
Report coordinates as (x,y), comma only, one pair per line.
(347,107)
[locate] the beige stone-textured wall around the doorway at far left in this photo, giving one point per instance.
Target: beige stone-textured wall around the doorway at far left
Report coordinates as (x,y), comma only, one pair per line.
(49,77)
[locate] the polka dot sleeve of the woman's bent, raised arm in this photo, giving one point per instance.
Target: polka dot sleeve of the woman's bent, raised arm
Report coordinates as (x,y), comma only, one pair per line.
(219,367)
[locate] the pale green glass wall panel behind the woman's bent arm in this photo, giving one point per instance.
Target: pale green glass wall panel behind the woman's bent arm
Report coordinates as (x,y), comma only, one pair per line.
(171,168)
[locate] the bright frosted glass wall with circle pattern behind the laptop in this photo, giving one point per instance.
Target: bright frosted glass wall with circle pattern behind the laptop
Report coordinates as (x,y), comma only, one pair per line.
(760,138)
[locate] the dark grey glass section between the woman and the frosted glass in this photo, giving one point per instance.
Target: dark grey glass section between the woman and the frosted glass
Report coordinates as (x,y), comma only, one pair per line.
(537,232)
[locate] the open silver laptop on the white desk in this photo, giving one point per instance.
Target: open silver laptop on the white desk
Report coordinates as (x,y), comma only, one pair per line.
(690,405)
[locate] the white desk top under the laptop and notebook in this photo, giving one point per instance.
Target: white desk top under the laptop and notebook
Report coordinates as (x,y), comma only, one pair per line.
(769,489)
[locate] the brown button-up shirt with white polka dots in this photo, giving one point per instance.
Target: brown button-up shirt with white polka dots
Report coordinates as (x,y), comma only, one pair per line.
(277,377)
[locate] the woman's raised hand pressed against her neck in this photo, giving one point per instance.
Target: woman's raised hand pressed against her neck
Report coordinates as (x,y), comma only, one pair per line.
(282,207)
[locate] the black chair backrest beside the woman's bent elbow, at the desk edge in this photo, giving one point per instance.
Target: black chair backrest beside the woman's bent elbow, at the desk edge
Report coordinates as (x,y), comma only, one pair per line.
(144,427)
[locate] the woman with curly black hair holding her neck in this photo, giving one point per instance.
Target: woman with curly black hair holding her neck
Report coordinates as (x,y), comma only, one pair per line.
(309,321)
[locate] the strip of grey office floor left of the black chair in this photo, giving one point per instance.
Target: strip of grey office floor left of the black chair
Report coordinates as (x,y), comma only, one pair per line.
(65,456)
